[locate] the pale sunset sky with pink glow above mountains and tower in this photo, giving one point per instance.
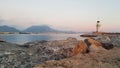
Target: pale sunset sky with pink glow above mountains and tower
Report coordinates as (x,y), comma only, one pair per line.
(77,15)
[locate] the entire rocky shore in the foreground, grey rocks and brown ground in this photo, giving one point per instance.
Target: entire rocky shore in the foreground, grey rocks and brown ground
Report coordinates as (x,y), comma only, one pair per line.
(102,51)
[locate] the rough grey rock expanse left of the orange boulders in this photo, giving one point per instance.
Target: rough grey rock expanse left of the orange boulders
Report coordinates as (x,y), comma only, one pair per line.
(29,54)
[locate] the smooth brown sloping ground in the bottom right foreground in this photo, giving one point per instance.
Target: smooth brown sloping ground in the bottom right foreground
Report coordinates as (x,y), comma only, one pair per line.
(101,59)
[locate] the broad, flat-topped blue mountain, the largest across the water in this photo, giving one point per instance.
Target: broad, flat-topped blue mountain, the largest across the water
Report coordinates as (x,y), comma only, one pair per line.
(42,28)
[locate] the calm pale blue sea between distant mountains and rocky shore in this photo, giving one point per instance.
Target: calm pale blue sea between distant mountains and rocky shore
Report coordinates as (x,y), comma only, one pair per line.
(24,38)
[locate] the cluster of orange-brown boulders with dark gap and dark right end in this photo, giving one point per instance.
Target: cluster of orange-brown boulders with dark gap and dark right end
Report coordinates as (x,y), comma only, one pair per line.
(91,45)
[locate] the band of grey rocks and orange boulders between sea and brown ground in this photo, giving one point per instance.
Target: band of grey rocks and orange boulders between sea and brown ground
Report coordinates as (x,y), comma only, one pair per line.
(32,53)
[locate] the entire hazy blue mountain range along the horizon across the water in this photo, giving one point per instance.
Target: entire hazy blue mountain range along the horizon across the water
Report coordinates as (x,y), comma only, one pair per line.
(34,29)
